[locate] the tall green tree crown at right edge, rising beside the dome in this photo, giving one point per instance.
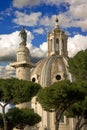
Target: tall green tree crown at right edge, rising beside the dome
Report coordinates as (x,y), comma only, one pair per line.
(78,65)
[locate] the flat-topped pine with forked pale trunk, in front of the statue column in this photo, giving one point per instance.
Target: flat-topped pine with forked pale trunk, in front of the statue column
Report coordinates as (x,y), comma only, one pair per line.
(16,91)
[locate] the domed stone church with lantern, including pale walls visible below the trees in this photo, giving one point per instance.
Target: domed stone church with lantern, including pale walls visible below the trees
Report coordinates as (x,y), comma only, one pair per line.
(49,70)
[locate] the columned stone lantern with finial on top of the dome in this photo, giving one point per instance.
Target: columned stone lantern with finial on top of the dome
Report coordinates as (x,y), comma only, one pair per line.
(57,41)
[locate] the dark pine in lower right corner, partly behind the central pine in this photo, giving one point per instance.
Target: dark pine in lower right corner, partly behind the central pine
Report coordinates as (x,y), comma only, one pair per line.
(79,110)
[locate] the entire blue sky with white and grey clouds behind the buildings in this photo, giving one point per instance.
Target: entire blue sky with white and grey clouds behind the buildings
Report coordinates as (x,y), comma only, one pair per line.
(38,17)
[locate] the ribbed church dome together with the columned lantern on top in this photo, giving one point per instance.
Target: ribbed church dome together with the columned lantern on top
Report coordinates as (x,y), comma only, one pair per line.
(54,67)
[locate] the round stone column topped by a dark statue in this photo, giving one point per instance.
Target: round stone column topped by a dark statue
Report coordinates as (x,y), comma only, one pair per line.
(23,64)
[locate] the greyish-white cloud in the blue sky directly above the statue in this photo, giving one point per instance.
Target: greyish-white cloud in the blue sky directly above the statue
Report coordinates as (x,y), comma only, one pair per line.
(27,19)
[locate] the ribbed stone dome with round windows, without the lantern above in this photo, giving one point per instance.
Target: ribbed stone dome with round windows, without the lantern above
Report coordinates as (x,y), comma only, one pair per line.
(49,70)
